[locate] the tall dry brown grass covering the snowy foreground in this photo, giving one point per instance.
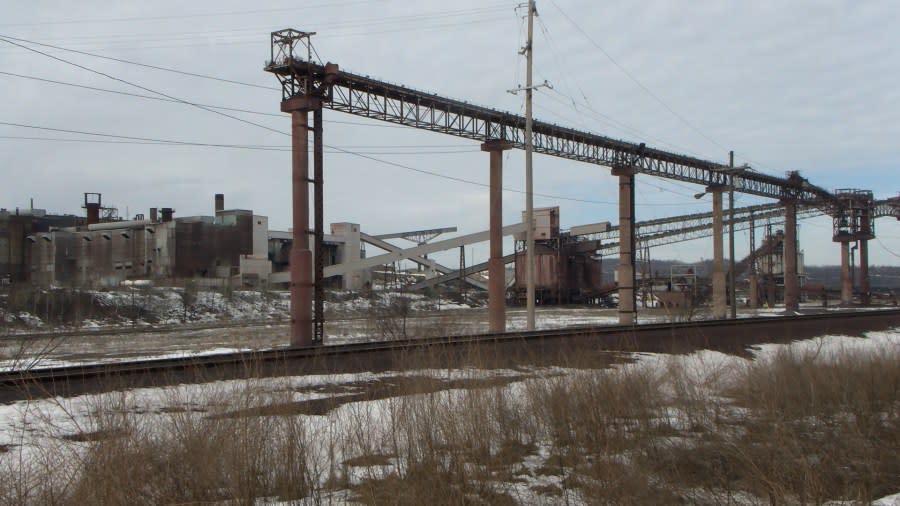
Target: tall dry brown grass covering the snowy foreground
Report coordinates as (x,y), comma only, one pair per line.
(797,428)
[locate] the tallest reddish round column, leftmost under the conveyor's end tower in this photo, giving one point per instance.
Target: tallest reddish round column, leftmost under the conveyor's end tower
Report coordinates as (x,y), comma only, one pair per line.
(301,256)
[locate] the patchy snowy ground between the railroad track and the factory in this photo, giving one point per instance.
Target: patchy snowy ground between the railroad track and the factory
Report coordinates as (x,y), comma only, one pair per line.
(169,323)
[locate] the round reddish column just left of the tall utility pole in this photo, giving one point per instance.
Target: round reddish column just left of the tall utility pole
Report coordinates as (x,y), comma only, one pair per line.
(496,267)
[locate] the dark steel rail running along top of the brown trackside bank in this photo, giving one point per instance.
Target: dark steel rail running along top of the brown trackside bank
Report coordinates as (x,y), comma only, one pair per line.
(15,381)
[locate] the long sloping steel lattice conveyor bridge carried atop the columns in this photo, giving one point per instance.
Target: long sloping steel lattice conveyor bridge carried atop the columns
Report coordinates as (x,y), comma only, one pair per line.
(371,98)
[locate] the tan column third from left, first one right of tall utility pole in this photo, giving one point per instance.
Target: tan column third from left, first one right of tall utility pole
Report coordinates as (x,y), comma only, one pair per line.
(627,312)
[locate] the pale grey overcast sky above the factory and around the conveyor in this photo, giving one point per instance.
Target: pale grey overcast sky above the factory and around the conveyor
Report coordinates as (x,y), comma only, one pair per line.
(809,86)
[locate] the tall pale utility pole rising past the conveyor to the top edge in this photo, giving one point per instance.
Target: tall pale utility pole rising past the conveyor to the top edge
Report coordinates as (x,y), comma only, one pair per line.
(529,184)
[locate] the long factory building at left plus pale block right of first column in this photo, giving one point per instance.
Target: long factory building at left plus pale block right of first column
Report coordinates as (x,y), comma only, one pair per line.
(232,247)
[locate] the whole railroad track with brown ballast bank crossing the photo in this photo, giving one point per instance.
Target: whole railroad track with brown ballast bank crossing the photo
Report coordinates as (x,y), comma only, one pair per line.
(731,336)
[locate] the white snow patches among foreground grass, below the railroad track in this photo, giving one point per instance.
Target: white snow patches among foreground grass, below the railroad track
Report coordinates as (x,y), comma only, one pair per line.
(28,430)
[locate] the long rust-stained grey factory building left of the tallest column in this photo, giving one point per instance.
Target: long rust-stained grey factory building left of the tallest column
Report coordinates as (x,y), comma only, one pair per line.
(230,247)
